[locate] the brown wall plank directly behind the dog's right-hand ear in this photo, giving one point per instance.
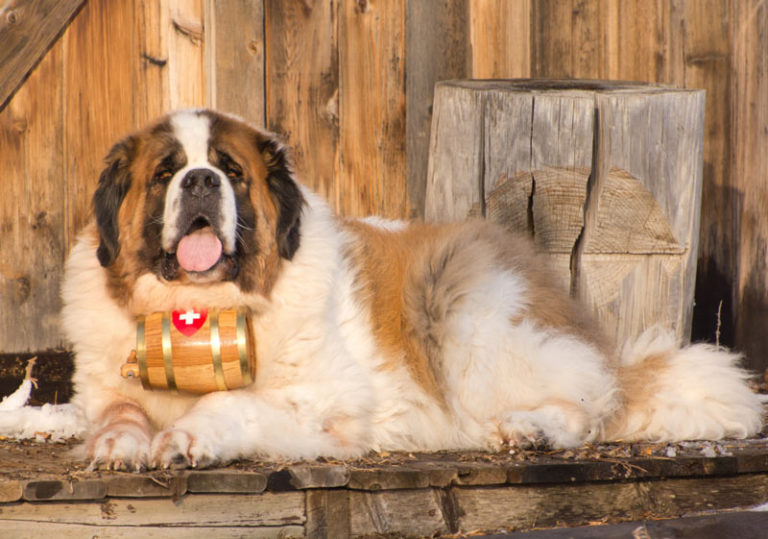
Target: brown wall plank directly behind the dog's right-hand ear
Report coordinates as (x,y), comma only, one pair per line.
(302,86)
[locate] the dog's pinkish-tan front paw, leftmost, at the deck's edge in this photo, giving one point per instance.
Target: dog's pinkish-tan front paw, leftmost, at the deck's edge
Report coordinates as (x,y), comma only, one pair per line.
(119,446)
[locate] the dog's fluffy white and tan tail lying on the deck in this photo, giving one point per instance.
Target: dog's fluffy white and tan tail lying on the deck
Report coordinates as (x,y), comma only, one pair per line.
(698,392)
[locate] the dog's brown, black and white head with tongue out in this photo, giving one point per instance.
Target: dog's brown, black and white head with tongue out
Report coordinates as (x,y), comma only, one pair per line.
(198,197)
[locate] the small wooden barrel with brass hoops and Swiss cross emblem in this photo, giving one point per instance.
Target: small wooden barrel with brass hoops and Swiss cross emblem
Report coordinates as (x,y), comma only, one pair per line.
(194,350)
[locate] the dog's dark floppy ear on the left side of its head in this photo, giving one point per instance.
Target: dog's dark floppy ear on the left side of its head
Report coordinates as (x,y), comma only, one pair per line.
(114,182)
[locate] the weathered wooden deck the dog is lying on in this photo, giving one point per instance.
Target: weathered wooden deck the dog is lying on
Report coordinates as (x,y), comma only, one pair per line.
(43,489)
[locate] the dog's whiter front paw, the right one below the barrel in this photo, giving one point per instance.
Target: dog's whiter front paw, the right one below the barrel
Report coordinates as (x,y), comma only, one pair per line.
(178,448)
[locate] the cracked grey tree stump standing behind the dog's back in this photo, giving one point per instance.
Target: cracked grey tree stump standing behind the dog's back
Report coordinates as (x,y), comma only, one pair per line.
(605,176)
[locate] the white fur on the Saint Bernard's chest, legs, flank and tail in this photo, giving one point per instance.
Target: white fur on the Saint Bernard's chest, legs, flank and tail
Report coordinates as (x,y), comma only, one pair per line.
(324,386)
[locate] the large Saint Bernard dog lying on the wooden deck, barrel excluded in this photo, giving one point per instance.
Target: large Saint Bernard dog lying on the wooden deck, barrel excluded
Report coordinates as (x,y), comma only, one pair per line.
(370,335)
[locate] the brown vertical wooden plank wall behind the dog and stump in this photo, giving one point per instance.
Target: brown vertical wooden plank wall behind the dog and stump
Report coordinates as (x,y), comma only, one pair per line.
(349,84)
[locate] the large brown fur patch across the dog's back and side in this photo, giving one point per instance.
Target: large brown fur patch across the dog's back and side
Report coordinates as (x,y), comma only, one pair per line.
(411,279)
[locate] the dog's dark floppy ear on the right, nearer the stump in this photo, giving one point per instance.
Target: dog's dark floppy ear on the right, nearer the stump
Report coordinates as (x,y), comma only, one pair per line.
(286,195)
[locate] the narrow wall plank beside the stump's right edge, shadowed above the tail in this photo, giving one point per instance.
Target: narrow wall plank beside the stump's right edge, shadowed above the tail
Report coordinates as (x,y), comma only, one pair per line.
(708,65)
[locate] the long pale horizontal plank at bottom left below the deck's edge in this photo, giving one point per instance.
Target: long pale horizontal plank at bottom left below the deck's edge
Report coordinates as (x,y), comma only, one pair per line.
(199,510)
